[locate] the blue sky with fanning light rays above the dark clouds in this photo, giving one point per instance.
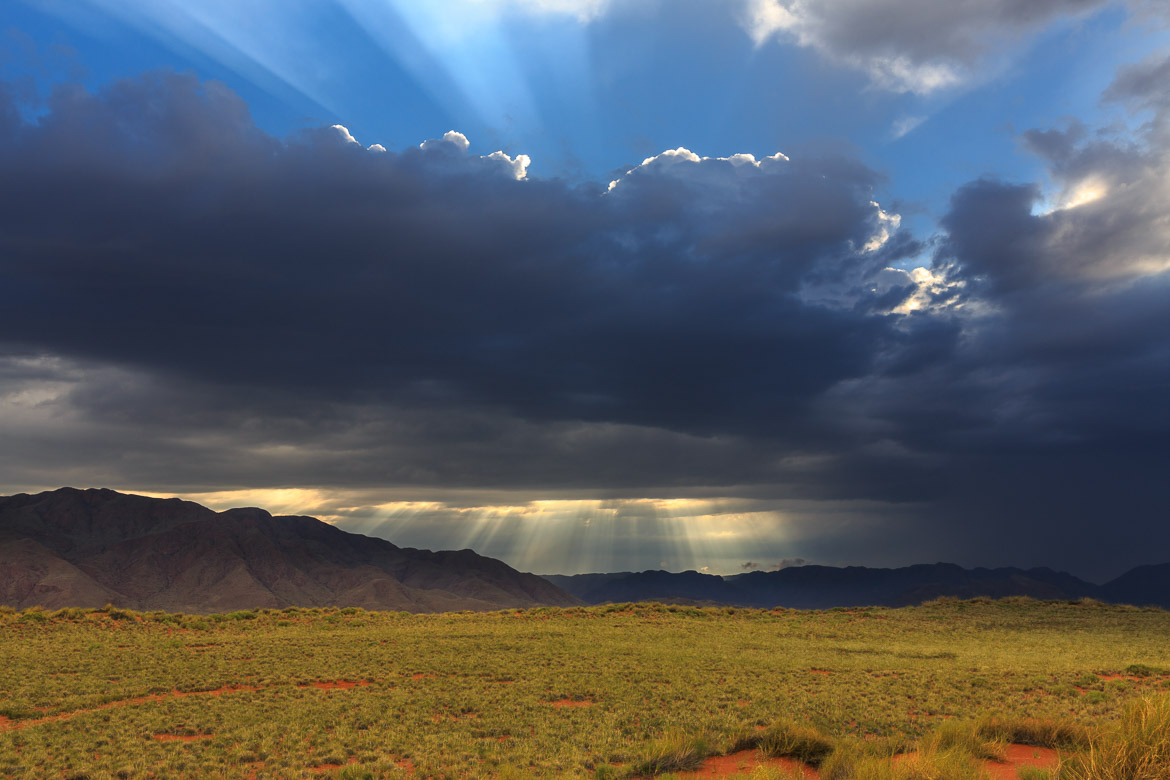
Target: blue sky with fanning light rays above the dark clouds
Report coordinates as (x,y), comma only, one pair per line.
(586,89)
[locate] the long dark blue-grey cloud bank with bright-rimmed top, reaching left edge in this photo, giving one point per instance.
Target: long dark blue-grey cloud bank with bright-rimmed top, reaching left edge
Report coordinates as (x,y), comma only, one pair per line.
(154,226)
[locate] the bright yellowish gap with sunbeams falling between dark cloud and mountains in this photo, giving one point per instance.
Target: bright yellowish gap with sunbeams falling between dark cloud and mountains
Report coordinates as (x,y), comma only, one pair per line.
(549,537)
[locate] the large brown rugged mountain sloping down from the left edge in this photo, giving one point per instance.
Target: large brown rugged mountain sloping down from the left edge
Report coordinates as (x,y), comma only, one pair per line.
(90,548)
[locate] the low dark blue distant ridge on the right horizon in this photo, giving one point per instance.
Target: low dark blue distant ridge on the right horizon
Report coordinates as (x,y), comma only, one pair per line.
(820,588)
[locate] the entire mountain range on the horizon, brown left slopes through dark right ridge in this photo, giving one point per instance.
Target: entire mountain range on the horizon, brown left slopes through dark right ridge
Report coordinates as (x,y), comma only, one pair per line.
(90,548)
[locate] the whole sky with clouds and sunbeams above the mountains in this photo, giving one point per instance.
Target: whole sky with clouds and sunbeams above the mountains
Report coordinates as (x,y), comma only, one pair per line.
(602,285)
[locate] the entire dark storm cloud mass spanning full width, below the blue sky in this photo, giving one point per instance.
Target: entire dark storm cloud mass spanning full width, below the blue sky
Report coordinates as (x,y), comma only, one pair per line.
(191,303)
